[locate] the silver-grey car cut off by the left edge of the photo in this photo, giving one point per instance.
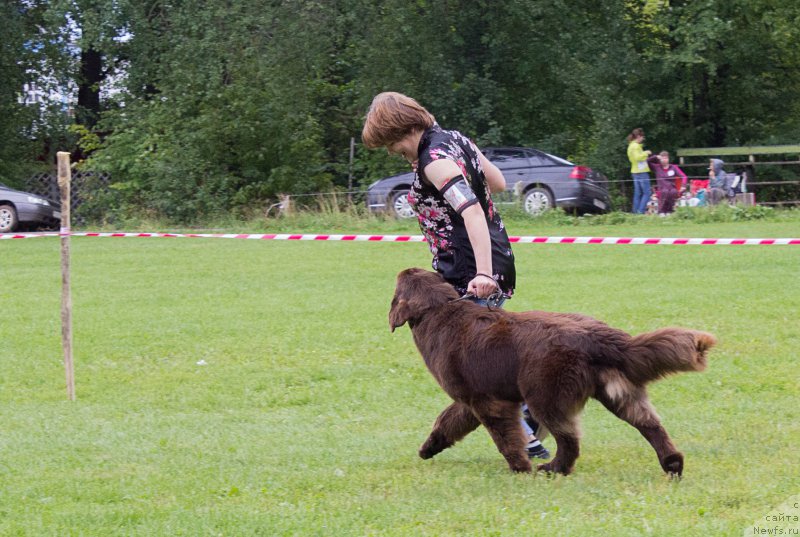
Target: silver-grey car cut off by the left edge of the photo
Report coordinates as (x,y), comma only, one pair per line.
(23,209)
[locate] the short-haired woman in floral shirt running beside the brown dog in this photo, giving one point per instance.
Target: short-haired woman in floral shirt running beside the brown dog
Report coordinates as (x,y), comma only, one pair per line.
(451,196)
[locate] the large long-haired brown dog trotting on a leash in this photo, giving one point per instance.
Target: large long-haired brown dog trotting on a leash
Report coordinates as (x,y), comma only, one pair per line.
(490,360)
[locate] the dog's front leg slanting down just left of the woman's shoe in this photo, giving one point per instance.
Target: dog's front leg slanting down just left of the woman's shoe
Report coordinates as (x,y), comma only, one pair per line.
(502,420)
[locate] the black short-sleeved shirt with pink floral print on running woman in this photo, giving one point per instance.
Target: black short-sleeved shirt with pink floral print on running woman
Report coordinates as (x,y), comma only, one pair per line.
(443,228)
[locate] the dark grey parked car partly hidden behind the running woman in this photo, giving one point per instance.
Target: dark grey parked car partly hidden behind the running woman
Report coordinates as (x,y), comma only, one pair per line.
(538,180)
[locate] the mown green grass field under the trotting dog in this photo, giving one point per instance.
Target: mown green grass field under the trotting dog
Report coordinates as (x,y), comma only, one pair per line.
(230,387)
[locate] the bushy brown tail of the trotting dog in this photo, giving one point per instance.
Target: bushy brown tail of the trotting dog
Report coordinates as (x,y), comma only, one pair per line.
(654,355)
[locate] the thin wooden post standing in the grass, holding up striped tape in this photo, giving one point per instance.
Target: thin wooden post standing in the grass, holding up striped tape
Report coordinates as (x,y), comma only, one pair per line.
(64,179)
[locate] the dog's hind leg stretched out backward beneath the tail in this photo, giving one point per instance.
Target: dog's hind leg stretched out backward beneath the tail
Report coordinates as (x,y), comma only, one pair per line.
(633,406)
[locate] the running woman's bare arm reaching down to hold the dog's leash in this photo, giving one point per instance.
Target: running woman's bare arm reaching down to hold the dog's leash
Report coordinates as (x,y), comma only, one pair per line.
(439,172)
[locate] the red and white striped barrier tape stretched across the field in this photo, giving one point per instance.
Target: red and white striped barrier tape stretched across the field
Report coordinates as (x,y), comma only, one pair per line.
(420,238)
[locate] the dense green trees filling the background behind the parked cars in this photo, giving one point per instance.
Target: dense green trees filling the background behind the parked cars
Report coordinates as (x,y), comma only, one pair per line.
(222,105)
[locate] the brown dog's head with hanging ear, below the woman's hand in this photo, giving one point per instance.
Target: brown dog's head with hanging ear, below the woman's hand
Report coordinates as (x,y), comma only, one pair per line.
(417,291)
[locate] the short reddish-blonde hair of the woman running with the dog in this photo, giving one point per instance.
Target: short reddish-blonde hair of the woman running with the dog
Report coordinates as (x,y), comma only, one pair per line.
(391,117)
